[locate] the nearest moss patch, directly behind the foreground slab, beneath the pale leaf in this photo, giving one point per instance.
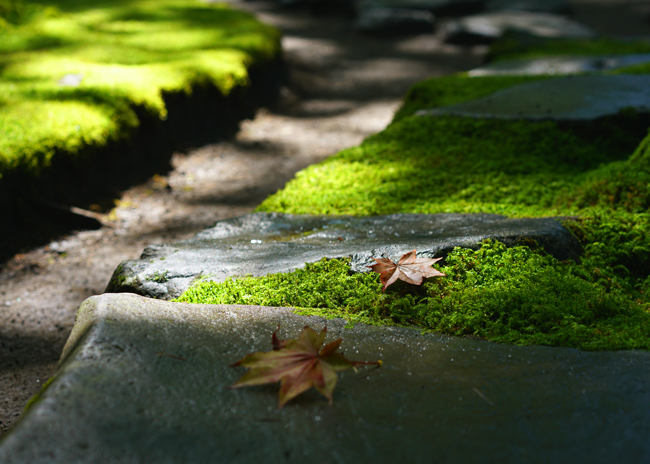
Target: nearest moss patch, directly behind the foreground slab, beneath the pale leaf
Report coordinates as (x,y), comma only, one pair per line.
(515,295)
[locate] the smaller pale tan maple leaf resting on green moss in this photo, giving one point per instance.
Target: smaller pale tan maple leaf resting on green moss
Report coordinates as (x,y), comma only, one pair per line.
(410,269)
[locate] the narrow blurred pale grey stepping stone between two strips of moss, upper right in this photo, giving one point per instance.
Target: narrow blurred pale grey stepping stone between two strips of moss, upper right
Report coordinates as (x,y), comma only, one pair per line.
(557,65)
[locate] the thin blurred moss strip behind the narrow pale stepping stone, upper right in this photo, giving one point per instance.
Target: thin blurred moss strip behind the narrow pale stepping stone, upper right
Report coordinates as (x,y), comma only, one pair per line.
(517,45)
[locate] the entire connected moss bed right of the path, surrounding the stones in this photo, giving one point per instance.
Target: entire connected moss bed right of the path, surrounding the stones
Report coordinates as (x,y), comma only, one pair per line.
(597,173)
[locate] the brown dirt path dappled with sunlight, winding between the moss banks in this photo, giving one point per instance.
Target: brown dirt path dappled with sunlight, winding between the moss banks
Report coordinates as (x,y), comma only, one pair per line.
(344,86)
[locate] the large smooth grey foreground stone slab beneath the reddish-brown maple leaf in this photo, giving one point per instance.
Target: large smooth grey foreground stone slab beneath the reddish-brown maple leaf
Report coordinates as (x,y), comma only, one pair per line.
(147,381)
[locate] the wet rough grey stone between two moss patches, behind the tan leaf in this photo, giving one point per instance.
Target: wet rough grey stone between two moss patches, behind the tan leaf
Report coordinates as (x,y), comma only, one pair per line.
(264,243)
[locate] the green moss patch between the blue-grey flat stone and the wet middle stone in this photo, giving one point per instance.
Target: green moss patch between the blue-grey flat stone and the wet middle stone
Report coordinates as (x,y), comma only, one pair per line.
(452,164)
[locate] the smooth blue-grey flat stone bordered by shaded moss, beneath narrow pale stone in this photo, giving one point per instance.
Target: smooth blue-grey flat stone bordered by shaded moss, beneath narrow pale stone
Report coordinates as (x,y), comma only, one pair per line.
(573,98)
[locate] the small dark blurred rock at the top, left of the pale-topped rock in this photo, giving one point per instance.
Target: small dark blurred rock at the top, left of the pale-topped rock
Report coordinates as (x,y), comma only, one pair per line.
(379,20)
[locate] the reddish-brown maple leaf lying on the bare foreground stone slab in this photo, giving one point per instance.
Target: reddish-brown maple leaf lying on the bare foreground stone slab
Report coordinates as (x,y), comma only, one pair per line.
(298,365)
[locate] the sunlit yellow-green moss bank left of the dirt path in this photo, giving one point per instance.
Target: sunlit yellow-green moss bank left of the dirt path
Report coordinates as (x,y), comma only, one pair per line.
(128,54)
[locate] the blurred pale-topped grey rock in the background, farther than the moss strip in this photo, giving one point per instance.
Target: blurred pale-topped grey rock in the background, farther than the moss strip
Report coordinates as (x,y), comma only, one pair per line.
(485,28)
